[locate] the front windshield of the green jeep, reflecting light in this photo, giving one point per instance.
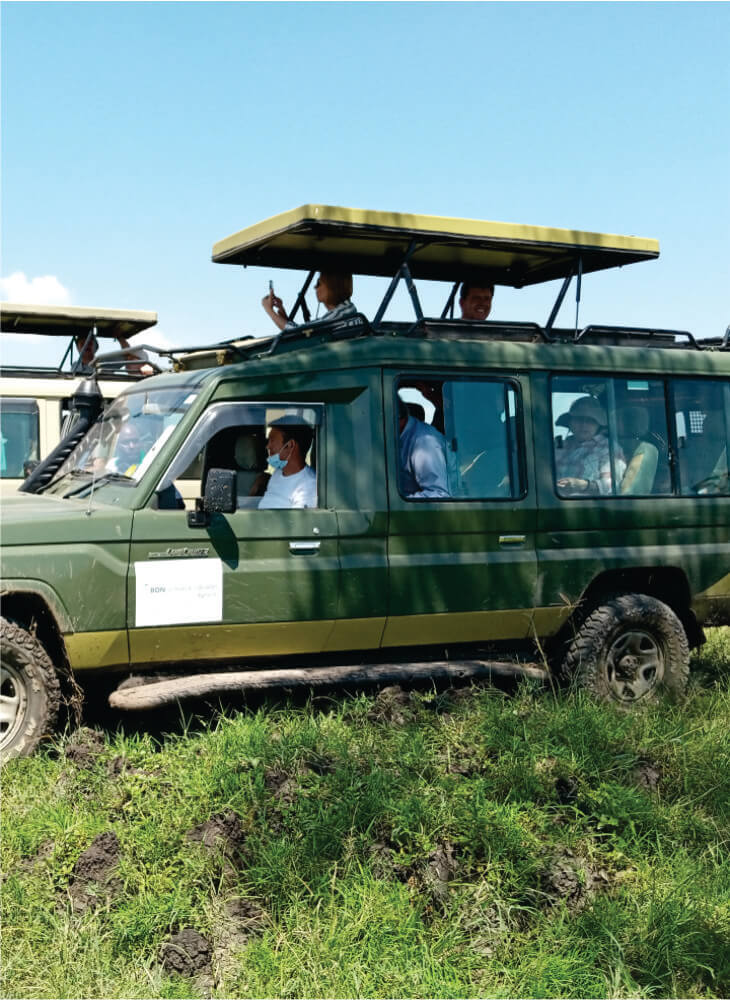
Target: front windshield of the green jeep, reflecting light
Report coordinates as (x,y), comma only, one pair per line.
(122,444)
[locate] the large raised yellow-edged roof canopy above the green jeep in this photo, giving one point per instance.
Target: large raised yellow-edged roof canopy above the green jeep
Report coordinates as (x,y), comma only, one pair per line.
(354,240)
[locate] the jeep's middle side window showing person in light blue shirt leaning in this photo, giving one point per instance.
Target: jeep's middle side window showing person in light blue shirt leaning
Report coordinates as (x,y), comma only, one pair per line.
(458,439)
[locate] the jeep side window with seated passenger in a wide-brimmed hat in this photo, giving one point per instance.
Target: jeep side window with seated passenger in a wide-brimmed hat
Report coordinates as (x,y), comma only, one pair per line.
(610,436)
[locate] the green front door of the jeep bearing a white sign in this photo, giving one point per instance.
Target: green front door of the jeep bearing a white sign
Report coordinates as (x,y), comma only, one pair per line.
(255,582)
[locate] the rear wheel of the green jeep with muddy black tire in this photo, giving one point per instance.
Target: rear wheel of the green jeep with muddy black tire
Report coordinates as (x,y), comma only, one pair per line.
(630,650)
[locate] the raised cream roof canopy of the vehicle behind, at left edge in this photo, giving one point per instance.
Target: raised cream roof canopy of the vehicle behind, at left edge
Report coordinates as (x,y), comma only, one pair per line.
(73,321)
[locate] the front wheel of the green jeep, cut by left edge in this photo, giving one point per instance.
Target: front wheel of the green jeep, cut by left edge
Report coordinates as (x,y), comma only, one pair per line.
(30,693)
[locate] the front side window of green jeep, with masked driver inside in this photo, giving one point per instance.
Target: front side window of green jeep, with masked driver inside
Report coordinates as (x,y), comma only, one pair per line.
(271,448)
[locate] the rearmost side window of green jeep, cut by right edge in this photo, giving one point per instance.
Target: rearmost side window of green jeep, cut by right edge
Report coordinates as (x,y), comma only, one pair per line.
(700,414)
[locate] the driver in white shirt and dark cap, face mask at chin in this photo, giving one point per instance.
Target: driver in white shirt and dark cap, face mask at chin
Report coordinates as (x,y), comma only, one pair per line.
(293,483)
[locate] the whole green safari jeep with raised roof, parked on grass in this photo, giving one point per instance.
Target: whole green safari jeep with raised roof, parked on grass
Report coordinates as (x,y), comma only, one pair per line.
(472,487)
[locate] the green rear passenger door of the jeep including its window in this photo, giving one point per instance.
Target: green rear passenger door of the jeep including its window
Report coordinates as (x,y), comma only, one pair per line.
(461,548)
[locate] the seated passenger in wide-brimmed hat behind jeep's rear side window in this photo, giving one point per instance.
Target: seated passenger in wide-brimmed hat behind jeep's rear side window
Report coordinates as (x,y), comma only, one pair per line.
(583,464)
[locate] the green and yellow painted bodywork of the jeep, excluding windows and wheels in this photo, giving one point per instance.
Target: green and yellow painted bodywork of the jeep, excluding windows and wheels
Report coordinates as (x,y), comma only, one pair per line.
(388,571)
